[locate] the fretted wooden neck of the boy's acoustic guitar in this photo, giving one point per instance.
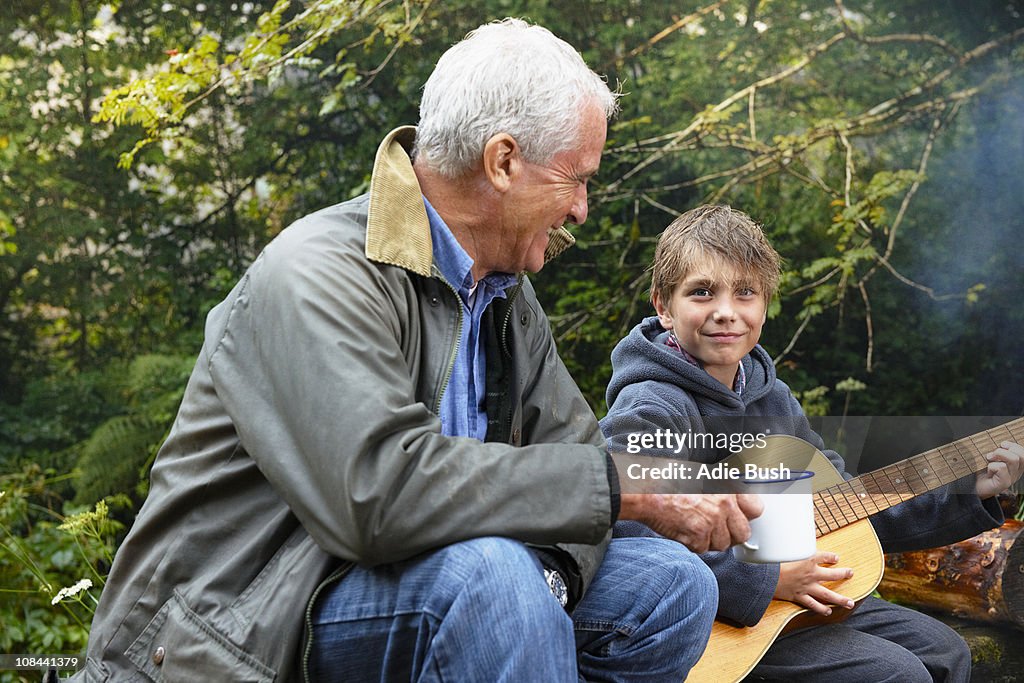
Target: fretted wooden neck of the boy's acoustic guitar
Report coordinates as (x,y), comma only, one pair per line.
(870,494)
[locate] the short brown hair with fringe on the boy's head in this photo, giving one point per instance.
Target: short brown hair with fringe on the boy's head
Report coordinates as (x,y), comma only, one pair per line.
(718,233)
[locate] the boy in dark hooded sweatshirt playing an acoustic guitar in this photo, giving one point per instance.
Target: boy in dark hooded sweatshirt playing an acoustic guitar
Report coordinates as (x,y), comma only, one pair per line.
(697,367)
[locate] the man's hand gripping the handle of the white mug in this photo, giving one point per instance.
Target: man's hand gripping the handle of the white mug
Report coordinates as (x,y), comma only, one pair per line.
(700,522)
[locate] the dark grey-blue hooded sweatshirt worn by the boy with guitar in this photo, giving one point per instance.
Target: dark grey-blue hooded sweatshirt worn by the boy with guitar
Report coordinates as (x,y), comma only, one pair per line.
(655,388)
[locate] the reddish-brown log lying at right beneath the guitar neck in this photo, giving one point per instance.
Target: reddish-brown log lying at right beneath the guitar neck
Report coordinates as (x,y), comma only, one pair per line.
(982,579)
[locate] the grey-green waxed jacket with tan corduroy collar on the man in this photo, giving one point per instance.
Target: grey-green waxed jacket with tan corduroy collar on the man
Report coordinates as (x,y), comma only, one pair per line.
(309,440)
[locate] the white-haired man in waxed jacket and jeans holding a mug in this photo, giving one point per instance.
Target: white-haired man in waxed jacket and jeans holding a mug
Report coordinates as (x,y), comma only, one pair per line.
(381,469)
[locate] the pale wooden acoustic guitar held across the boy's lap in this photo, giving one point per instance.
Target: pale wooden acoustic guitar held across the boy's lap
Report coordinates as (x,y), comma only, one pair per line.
(841,513)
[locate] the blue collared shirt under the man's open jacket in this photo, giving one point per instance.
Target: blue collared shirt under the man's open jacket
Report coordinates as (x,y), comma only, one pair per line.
(462,411)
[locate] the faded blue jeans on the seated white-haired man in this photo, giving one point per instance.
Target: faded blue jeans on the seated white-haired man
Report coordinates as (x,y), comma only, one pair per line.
(481,611)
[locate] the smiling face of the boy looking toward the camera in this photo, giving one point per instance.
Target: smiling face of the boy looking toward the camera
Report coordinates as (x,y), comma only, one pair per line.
(717,314)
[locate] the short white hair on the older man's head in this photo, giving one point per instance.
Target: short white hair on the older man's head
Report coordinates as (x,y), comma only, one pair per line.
(506,77)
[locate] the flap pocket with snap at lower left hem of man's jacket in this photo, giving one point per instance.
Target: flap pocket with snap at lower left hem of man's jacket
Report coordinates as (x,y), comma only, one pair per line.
(179,646)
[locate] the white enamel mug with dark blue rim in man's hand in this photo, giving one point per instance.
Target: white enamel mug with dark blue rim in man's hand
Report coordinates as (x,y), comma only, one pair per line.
(785,532)
